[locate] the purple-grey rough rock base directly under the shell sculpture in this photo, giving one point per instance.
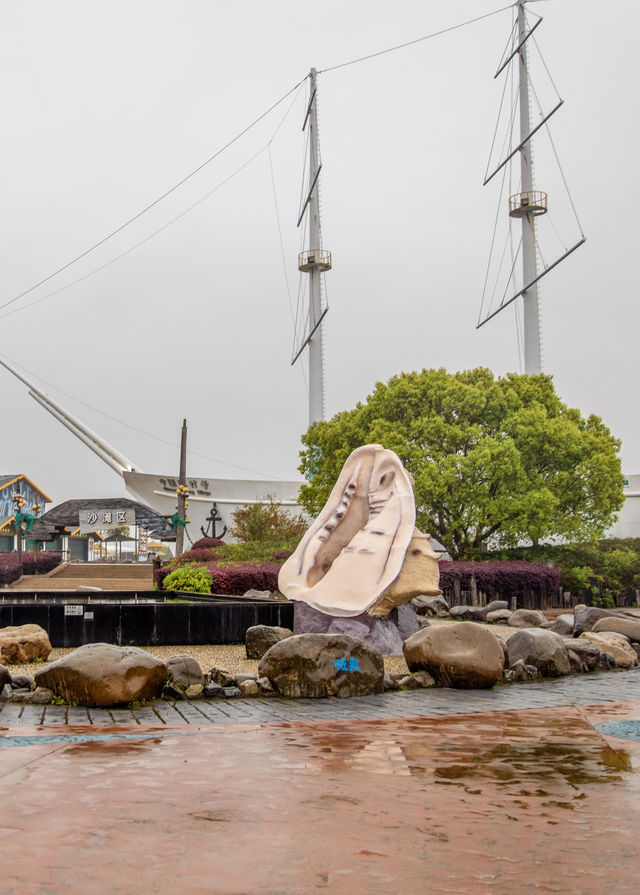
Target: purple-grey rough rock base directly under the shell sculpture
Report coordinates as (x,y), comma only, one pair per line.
(386,635)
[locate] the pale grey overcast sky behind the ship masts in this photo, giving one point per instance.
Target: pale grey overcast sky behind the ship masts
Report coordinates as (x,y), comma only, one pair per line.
(106,106)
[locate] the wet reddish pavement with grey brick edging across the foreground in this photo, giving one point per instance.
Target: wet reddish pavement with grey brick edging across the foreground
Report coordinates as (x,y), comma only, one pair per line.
(523,788)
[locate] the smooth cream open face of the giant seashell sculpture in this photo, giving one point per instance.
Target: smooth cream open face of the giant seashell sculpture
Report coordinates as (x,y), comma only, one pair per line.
(356,547)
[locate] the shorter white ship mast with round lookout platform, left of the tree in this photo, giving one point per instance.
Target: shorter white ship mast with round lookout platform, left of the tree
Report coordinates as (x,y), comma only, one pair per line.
(314,261)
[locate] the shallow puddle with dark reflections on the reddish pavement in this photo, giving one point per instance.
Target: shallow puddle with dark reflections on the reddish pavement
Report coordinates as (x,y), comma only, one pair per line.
(529,753)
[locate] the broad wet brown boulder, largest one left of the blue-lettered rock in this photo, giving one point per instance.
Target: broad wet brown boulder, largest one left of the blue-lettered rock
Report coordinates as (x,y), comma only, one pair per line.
(102,674)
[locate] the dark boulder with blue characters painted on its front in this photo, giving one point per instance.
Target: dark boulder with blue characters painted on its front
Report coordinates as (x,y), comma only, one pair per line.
(323,665)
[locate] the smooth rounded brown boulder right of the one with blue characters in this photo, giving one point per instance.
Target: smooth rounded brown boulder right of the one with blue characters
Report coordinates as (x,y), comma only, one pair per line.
(462,654)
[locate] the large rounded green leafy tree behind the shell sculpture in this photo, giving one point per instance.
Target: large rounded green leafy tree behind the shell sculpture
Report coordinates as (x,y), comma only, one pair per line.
(493,460)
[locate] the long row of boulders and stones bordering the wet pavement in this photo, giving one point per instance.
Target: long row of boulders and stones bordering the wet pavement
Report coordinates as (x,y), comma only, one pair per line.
(458,654)
